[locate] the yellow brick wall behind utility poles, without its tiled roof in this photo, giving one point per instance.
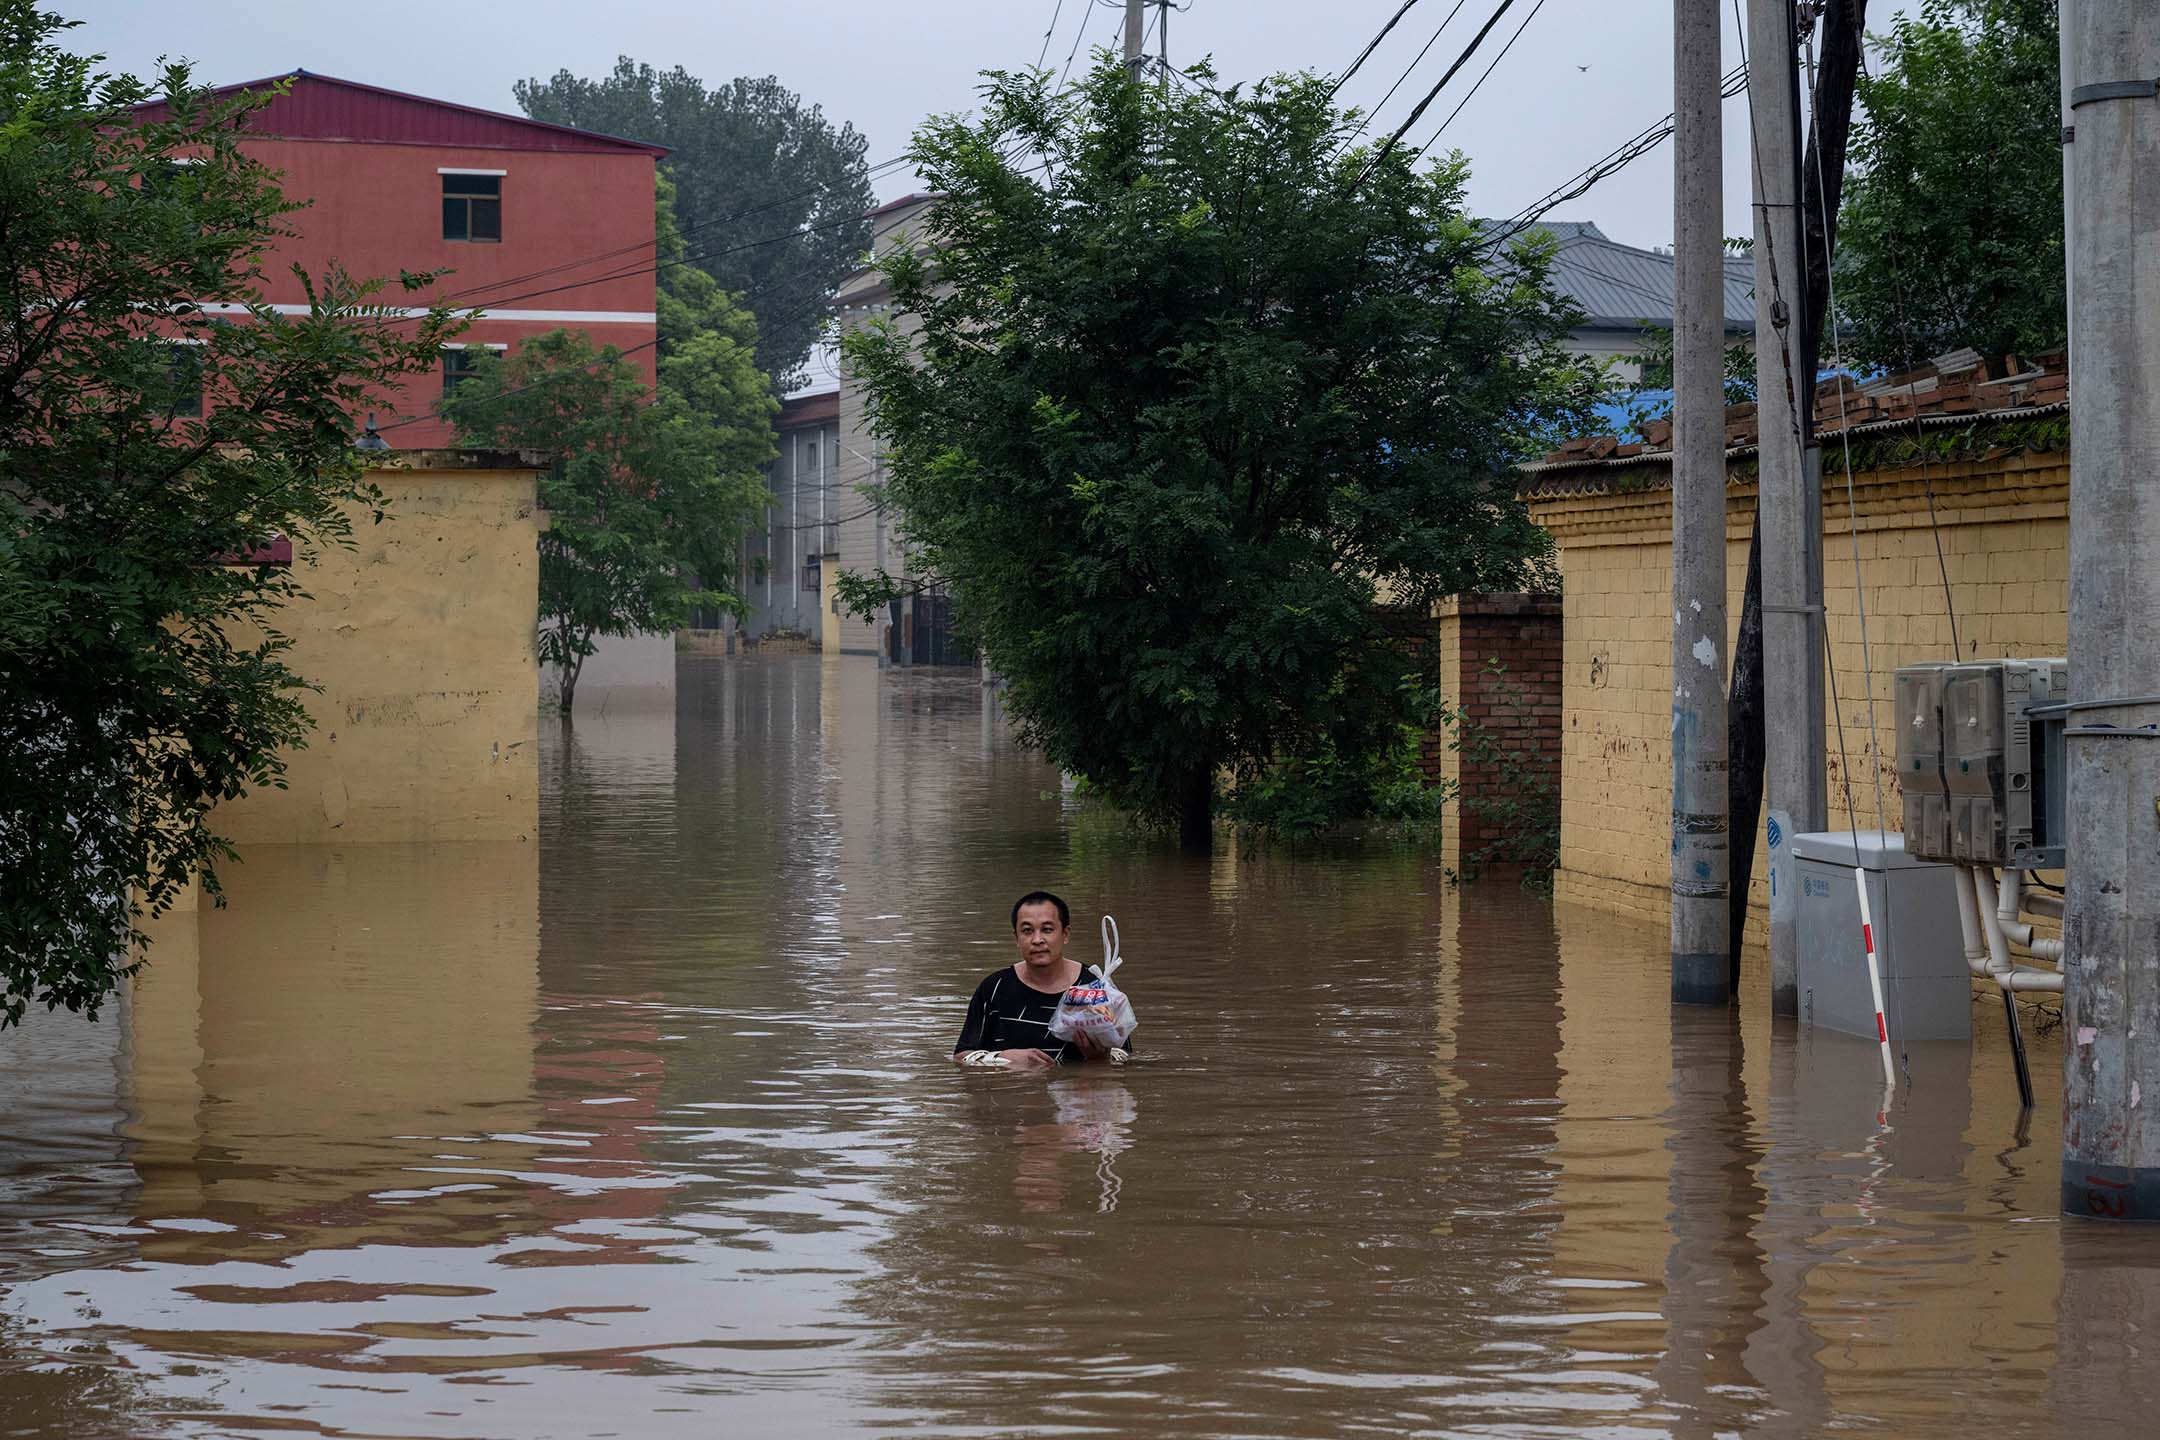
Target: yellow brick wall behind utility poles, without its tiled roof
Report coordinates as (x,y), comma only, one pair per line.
(2006,545)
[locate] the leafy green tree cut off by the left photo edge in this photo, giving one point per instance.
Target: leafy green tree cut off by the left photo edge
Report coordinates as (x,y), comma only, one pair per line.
(144,439)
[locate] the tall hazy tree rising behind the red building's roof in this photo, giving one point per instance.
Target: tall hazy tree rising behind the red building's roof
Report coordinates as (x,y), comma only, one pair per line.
(748,163)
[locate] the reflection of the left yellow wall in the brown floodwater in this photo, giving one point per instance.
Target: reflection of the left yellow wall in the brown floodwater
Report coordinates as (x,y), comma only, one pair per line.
(345,1001)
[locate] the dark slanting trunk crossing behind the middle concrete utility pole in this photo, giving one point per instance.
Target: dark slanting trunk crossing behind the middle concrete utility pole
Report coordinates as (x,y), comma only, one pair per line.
(1822,189)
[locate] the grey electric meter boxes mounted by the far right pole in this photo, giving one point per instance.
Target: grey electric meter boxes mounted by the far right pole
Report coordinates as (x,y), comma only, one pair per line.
(1982,776)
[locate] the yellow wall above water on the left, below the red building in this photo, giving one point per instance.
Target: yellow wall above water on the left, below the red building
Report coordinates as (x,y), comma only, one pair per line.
(422,644)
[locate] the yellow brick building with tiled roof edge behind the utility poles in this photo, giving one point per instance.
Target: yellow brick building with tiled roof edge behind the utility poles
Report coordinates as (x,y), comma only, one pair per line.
(1997,467)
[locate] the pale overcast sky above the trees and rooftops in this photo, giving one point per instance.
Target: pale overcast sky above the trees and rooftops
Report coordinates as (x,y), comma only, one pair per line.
(1584,74)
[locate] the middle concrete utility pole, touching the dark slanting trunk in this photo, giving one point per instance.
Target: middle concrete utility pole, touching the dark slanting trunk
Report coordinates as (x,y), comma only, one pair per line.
(1792,500)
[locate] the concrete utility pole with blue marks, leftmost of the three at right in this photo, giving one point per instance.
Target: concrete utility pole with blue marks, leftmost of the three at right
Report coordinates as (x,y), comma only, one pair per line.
(1701,938)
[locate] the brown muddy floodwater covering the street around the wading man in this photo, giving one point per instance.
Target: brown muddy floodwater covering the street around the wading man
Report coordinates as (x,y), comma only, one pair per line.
(651,1130)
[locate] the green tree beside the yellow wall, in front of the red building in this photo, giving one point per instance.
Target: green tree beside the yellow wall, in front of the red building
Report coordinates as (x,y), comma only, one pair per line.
(651,489)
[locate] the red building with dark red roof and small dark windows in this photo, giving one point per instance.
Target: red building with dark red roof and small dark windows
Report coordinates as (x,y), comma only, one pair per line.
(535,223)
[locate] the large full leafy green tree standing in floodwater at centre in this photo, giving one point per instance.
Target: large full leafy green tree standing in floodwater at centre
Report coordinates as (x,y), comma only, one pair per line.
(1178,411)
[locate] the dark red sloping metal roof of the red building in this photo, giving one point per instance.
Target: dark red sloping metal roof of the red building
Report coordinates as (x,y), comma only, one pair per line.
(329,109)
